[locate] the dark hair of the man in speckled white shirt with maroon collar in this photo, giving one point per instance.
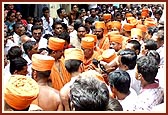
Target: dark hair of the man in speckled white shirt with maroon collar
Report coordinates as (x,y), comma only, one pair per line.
(148,67)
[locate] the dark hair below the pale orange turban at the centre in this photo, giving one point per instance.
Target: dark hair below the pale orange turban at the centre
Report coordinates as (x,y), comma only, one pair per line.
(72,65)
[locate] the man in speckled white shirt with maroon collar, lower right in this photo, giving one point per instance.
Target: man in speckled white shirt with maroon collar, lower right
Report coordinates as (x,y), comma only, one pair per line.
(151,94)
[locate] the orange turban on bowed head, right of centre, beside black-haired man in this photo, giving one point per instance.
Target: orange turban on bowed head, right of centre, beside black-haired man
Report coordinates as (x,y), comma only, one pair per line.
(108,55)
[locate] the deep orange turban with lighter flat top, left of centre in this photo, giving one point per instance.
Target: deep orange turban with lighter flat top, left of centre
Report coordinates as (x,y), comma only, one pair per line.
(56,43)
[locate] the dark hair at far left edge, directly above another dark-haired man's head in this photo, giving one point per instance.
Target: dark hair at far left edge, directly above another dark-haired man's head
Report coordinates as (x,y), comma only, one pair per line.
(14,52)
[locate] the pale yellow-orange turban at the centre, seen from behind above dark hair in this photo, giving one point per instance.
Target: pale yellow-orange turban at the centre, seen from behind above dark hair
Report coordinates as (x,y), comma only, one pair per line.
(74,53)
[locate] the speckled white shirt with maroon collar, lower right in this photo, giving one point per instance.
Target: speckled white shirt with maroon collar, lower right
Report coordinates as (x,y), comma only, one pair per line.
(150,96)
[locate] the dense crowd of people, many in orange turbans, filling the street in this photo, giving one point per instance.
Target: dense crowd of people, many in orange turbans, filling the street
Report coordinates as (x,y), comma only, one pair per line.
(103,58)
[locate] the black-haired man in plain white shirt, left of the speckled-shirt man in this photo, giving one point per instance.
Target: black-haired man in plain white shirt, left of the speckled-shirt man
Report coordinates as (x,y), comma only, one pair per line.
(119,81)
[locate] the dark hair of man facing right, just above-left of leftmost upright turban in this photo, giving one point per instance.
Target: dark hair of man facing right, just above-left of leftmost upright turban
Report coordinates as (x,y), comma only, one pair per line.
(28,45)
